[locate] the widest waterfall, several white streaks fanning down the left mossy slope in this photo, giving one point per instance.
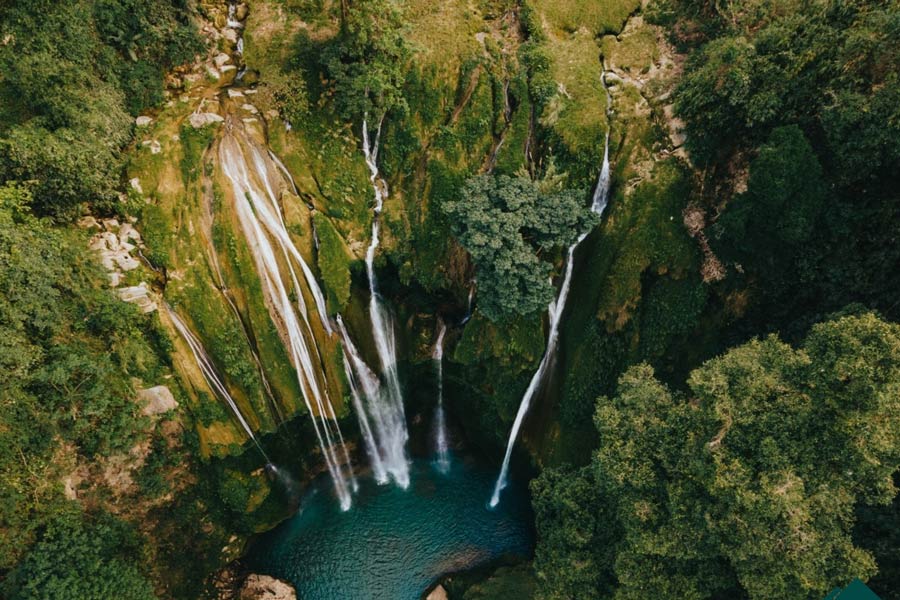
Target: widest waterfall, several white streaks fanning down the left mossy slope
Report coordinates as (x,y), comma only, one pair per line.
(258,212)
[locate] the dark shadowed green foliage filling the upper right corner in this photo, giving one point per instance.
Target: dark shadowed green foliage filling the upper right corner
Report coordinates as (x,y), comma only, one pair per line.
(809,99)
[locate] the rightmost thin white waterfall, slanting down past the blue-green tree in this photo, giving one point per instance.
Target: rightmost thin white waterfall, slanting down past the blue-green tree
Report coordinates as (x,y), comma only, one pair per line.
(555,311)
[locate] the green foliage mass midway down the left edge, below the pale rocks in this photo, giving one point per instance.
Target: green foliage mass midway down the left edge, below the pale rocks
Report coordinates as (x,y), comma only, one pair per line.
(68,351)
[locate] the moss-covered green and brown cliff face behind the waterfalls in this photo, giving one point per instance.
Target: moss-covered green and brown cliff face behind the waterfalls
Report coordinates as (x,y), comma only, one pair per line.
(472,109)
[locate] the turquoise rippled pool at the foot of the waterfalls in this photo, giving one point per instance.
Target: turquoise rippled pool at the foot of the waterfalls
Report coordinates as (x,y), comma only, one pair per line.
(394,543)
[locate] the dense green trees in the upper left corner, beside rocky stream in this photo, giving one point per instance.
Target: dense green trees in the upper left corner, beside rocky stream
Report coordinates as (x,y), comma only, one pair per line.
(73,73)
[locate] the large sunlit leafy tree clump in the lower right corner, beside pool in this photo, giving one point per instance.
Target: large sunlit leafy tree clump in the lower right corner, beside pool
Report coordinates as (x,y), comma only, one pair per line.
(745,487)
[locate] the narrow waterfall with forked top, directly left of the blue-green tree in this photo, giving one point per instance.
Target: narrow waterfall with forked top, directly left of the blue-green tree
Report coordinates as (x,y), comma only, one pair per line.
(382,326)
